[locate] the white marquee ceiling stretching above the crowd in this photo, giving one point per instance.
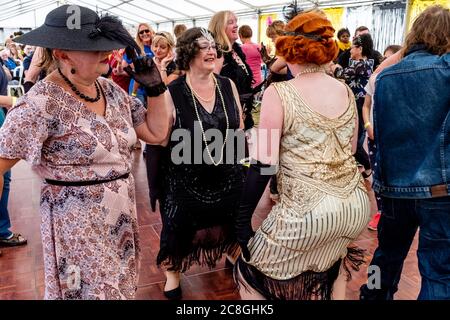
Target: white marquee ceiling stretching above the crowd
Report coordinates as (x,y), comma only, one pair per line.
(31,13)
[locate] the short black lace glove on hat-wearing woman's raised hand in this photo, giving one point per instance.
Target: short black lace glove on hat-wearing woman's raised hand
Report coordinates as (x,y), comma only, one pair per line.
(145,73)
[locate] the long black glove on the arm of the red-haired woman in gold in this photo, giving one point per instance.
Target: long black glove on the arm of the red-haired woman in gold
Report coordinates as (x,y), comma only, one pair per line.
(258,175)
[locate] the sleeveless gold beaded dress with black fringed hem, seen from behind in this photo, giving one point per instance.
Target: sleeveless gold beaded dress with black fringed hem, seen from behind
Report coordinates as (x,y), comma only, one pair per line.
(323,207)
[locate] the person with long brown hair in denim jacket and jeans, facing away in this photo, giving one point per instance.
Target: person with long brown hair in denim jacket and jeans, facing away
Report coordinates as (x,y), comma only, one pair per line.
(411,128)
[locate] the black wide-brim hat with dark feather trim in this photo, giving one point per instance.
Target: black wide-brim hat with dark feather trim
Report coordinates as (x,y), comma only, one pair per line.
(71,27)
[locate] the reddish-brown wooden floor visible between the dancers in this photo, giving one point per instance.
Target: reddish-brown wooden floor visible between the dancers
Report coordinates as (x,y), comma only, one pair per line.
(21,268)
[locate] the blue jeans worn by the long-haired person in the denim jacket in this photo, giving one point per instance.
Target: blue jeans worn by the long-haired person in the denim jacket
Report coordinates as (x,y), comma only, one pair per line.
(396,230)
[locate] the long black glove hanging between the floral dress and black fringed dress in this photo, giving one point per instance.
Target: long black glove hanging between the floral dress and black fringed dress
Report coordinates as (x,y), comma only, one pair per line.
(153,159)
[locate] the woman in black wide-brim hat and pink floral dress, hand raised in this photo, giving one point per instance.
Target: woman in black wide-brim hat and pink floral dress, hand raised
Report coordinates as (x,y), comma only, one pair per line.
(77,131)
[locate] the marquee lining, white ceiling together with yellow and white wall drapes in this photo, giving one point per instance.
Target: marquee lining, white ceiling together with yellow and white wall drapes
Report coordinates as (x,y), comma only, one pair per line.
(387,19)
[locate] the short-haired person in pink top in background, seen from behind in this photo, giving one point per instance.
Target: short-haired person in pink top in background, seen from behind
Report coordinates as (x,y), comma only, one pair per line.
(252,53)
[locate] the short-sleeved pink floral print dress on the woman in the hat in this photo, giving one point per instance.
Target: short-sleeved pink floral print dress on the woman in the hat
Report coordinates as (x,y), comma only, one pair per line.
(89,233)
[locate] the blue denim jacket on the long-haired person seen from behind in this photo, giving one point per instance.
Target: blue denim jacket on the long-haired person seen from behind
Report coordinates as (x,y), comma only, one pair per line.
(412,126)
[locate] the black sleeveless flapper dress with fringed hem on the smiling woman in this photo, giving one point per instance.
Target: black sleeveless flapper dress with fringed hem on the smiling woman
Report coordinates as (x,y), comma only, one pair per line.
(199,201)
